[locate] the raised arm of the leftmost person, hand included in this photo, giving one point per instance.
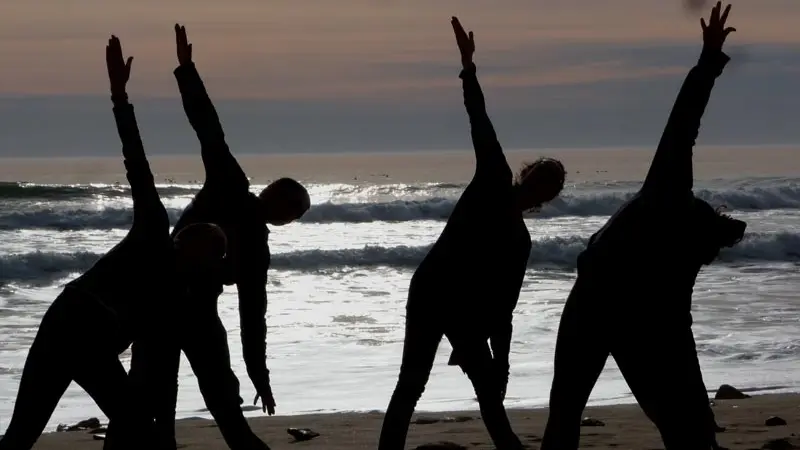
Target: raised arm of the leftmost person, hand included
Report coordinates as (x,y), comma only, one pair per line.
(148,211)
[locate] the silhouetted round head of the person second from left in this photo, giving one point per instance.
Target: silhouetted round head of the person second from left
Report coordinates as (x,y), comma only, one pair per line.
(284,200)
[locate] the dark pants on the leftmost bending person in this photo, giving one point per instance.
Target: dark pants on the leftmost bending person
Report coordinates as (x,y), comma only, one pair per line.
(59,356)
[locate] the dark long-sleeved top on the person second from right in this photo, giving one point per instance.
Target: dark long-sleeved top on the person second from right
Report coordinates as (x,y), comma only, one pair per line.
(478,263)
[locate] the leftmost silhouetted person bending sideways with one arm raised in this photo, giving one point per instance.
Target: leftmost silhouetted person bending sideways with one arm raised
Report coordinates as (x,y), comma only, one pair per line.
(109,306)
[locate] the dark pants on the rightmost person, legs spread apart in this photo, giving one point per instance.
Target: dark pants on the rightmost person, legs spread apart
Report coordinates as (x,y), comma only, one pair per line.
(654,351)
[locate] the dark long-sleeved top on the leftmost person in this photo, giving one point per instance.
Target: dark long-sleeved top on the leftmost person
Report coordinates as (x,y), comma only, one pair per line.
(124,278)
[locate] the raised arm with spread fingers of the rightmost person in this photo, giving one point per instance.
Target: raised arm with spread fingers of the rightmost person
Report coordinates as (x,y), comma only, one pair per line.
(670,177)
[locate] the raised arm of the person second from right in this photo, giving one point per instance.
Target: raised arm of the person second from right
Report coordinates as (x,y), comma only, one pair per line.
(488,152)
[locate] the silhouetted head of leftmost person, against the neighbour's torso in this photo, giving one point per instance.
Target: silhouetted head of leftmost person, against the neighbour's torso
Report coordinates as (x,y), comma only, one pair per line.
(200,249)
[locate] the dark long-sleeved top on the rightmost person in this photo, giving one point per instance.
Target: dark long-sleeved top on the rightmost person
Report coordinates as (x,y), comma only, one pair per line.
(645,241)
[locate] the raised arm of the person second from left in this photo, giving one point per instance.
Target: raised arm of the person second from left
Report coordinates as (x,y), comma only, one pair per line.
(221,166)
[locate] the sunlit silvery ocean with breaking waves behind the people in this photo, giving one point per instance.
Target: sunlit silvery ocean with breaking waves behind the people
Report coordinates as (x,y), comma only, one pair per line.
(339,276)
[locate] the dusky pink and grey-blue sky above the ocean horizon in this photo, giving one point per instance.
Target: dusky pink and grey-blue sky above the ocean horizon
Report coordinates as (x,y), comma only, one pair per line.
(324,75)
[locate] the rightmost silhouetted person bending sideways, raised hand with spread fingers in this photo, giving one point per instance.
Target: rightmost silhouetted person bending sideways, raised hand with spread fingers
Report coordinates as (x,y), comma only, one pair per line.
(632,298)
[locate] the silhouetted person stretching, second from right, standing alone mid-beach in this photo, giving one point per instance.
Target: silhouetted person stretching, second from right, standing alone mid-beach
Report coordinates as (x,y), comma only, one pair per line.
(468,285)
